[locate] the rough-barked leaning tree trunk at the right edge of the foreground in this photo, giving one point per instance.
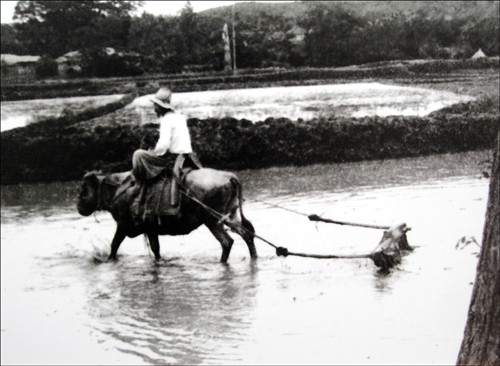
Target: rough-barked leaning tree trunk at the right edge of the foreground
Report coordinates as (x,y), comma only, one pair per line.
(481,342)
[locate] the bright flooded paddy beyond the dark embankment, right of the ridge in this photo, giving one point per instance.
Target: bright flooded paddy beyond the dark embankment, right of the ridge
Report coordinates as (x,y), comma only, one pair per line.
(308,102)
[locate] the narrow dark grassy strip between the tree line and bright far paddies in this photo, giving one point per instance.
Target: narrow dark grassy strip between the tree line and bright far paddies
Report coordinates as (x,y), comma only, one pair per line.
(407,70)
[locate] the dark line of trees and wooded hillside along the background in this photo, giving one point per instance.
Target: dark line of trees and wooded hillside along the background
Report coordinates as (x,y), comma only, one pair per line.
(317,34)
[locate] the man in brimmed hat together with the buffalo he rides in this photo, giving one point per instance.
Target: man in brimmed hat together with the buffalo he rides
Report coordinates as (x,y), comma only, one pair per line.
(141,200)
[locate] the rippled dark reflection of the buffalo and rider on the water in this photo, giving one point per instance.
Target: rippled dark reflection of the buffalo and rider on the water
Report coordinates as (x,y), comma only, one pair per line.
(181,312)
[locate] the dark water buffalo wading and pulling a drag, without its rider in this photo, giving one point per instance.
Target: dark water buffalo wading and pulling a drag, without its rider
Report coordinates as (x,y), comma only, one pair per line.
(217,192)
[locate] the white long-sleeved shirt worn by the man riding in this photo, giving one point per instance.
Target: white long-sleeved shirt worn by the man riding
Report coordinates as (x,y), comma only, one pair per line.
(174,135)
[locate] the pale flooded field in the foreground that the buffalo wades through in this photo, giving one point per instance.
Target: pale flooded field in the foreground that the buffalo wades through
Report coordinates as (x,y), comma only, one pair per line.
(62,305)
